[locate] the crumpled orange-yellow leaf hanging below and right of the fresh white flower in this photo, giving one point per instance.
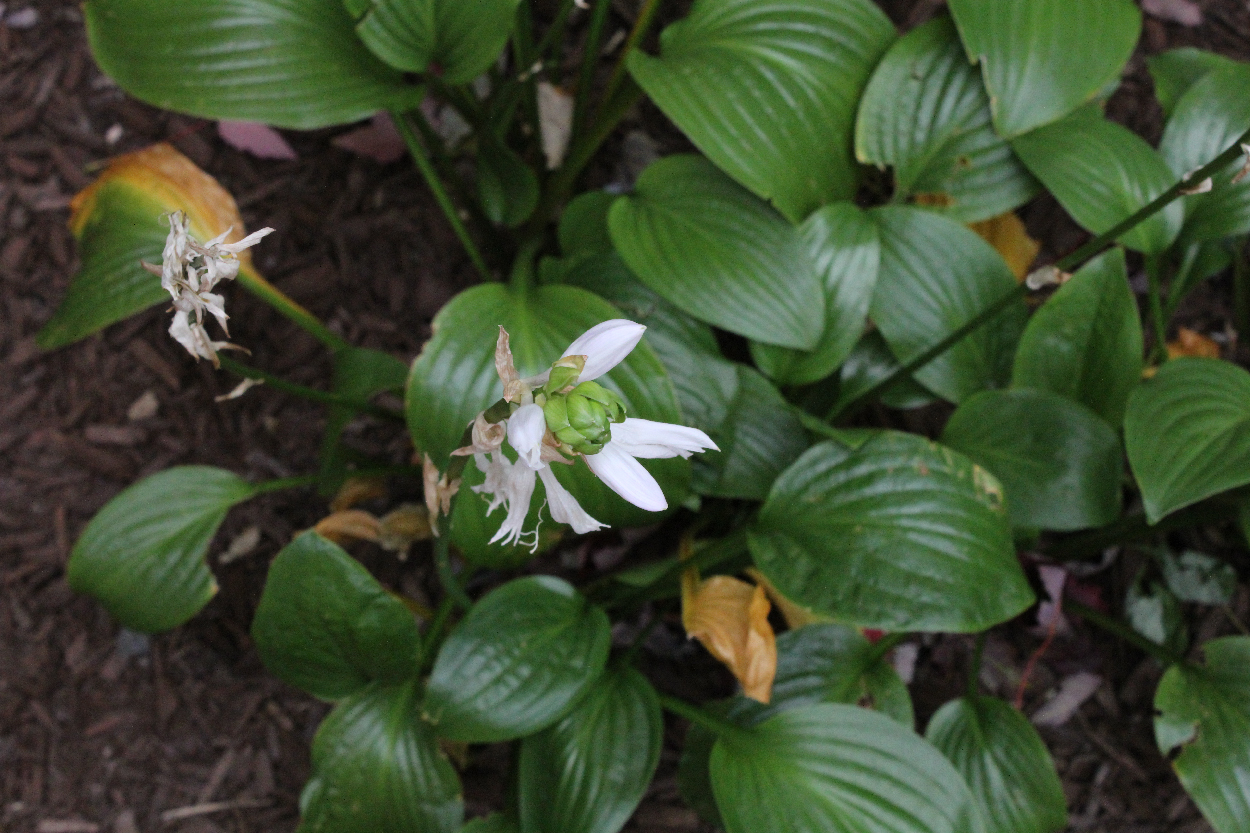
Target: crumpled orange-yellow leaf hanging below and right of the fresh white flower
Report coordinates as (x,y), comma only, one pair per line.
(732,620)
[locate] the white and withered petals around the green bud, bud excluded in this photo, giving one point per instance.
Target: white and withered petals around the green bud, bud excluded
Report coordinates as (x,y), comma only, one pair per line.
(512,485)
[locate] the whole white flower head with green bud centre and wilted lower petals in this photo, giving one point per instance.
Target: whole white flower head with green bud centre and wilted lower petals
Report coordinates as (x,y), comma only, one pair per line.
(563,415)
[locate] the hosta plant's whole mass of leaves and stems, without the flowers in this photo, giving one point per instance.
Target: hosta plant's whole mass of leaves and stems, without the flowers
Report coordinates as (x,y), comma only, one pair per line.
(843,286)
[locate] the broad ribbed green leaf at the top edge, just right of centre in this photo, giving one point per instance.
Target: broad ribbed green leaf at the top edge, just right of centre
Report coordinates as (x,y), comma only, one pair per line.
(768,91)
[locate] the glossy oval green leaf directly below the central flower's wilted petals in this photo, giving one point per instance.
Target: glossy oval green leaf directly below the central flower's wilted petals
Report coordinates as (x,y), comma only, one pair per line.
(518,662)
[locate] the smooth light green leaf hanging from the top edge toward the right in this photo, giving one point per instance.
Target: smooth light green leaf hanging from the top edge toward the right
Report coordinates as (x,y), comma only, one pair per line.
(1042,59)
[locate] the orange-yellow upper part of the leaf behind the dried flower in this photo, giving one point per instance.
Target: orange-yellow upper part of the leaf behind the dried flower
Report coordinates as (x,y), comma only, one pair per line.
(172,181)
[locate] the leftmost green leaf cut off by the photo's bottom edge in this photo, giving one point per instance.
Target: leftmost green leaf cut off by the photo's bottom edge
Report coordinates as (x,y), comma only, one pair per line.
(377,766)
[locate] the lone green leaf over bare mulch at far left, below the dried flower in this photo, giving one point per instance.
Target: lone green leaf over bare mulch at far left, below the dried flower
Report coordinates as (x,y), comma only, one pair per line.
(143,553)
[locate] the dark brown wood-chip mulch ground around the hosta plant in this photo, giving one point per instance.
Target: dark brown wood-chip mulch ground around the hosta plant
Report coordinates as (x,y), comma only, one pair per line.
(104,731)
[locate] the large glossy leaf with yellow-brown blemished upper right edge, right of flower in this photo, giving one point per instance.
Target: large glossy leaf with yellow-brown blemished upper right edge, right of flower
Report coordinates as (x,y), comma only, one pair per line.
(901,535)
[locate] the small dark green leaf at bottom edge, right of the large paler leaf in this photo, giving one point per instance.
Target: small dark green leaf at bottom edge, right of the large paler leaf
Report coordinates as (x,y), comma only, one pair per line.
(1004,762)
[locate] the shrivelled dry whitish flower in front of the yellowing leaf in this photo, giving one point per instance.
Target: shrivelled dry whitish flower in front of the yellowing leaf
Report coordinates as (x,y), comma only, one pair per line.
(189,272)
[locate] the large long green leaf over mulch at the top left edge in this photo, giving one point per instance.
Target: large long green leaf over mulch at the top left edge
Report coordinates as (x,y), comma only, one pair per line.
(289,63)
